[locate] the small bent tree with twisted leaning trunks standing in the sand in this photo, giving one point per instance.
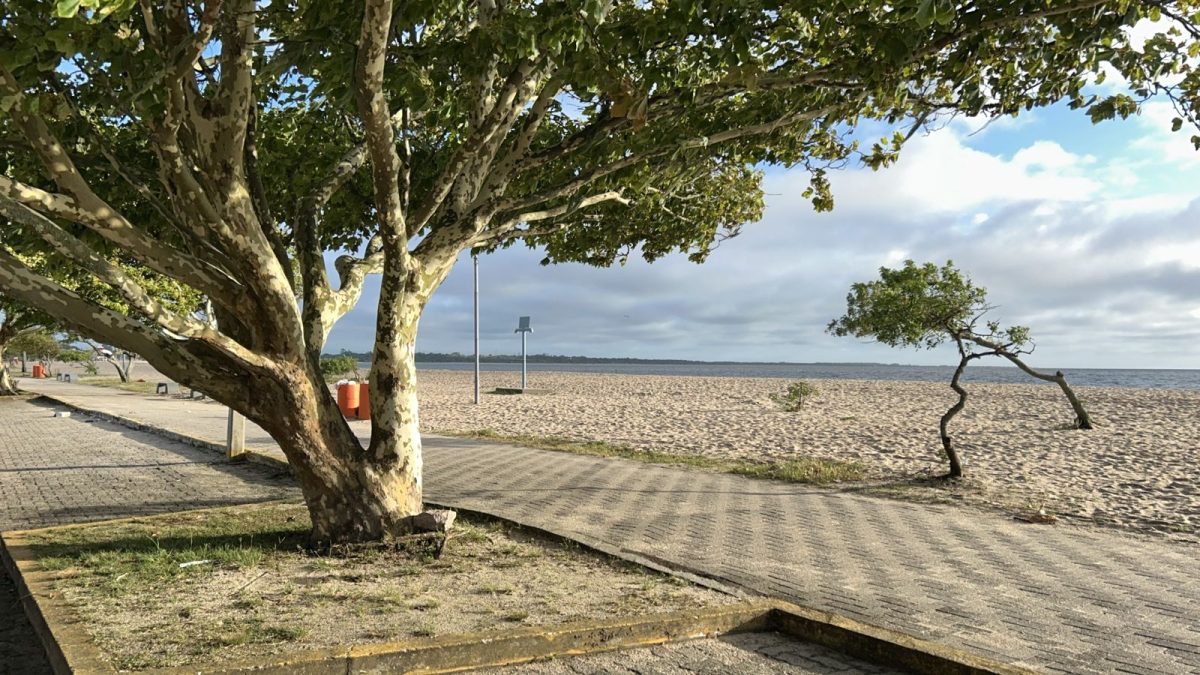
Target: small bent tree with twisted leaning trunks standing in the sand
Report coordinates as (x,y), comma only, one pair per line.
(926,306)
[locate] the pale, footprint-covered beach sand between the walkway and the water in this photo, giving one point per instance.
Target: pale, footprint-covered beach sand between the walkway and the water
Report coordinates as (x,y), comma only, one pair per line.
(1137,470)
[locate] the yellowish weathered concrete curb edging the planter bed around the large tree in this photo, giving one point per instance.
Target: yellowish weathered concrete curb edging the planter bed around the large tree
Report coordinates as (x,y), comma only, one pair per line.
(71,649)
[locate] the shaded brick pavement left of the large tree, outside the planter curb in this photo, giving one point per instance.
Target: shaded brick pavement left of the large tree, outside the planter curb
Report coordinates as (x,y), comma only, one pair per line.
(70,470)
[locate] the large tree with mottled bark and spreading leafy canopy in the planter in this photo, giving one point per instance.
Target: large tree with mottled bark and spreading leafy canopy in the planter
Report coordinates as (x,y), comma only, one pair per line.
(230,145)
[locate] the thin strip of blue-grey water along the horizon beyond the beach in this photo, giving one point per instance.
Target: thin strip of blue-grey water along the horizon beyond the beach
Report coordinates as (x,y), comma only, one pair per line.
(1004,375)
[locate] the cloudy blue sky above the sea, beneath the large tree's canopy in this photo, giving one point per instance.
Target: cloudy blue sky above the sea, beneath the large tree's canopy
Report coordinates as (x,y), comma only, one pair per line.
(1089,235)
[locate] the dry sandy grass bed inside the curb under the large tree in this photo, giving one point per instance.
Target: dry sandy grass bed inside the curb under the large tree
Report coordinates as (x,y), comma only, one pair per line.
(254,589)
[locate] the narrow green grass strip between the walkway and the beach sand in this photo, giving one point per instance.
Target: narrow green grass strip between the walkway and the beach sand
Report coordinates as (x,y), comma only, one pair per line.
(807,470)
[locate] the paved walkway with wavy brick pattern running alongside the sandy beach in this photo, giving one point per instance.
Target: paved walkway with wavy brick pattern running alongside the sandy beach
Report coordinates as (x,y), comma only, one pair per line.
(1058,599)
